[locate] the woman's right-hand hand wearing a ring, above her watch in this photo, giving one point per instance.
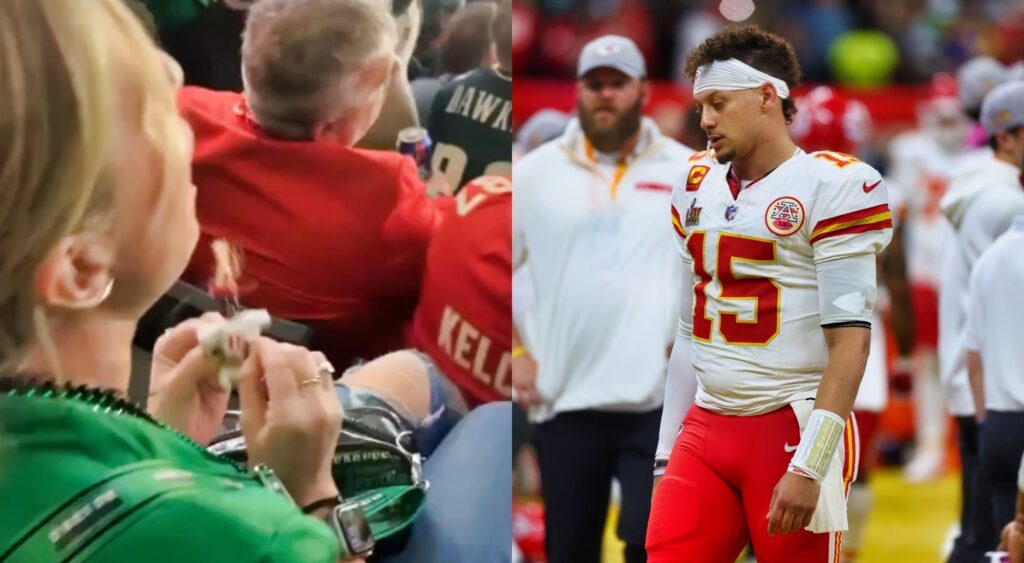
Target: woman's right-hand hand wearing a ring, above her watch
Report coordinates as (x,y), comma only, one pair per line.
(291,417)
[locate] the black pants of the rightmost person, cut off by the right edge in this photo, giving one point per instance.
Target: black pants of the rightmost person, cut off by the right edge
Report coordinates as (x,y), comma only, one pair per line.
(1002,447)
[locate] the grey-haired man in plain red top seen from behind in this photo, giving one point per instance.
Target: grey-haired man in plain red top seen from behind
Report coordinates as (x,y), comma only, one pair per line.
(333,237)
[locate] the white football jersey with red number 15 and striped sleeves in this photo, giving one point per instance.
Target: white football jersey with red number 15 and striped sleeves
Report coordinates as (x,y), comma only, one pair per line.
(758,342)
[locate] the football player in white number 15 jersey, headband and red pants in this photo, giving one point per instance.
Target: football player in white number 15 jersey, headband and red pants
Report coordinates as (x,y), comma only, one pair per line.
(780,250)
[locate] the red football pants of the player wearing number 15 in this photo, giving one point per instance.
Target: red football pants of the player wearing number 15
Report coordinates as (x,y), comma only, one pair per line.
(718,487)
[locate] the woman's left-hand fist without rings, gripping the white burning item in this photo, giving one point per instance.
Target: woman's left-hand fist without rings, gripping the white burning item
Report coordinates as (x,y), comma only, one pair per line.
(184,387)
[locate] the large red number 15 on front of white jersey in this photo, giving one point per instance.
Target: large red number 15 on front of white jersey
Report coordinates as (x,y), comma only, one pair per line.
(764,292)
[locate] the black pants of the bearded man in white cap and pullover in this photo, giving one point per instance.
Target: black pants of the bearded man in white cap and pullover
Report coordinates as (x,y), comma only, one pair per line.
(580,453)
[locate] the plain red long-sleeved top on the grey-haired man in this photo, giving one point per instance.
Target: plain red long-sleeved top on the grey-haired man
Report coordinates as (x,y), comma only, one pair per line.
(332,237)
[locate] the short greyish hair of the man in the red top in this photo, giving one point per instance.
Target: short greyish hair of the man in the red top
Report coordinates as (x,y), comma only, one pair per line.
(298,57)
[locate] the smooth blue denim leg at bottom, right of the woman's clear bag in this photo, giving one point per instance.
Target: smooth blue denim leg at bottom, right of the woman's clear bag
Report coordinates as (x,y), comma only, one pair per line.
(468,514)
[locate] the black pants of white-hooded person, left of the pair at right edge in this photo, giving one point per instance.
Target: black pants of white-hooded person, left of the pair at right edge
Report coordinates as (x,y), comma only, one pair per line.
(978,535)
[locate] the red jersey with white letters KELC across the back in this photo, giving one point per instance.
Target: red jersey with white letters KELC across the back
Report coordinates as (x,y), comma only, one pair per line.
(464,321)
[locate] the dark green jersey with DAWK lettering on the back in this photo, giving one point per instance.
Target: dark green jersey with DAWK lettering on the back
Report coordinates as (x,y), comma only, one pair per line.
(472,127)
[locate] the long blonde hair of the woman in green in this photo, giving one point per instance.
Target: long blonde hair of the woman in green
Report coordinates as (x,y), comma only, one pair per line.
(63,68)
